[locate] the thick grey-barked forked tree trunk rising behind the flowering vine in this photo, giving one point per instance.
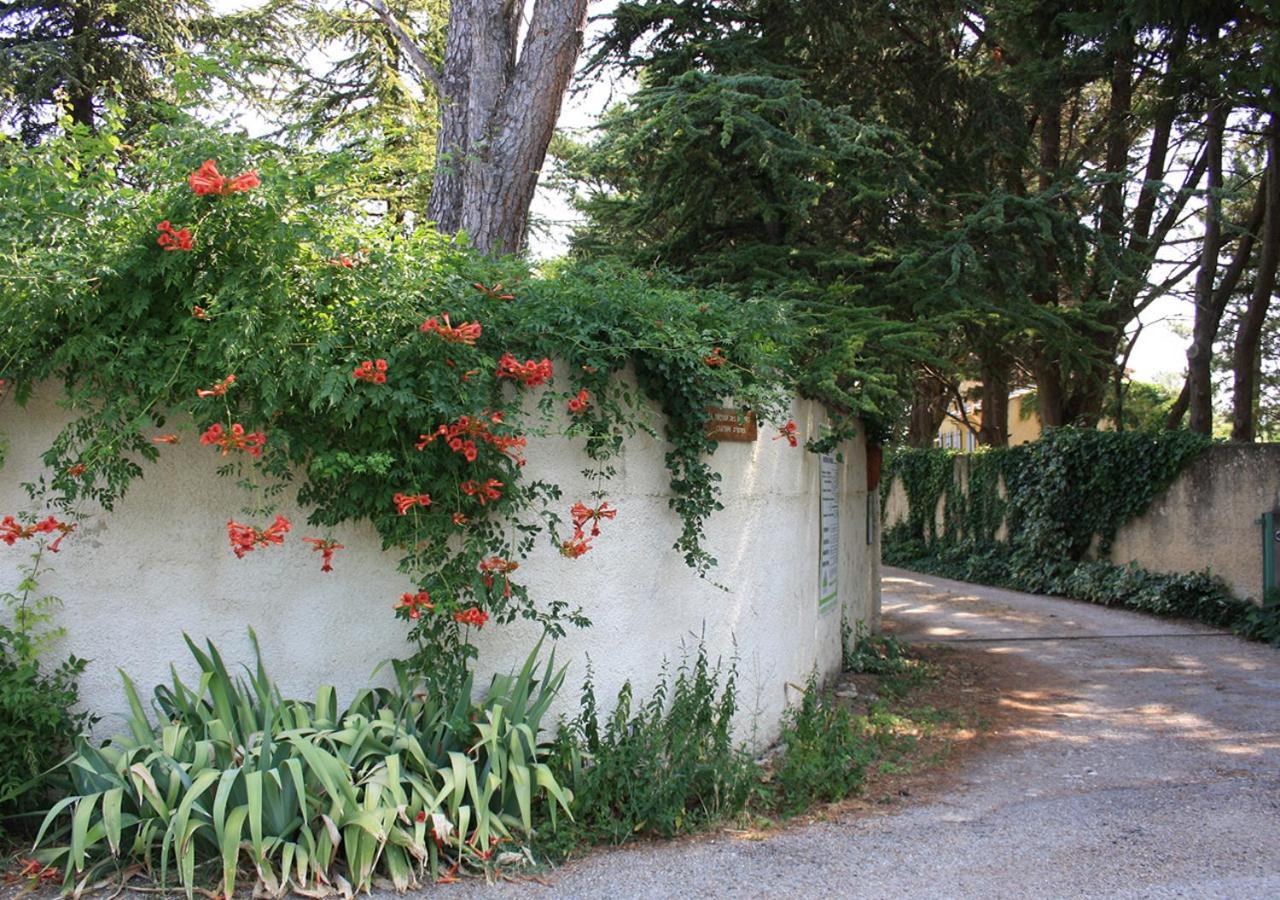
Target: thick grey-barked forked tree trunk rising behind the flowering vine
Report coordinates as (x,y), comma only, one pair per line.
(497,111)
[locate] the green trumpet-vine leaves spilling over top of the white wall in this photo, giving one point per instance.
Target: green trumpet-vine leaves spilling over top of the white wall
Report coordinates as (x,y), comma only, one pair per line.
(92,300)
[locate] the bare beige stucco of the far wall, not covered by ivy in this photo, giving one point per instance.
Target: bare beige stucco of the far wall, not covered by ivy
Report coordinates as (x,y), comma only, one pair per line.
(1208,518)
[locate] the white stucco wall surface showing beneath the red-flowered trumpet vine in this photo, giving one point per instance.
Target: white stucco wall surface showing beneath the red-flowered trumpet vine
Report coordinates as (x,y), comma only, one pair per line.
(135,579)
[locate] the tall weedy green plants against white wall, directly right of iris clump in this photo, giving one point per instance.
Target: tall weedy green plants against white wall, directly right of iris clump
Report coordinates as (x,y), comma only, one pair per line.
(665,769)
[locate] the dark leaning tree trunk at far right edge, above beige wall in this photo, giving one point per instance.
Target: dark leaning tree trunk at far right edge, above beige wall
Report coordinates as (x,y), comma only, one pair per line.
(1245,360)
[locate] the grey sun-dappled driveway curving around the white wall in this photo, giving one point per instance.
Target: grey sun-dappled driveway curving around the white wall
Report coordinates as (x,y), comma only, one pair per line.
(1141,759)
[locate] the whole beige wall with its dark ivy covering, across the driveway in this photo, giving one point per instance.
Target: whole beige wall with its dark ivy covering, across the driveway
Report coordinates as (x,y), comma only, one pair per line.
(1122,519)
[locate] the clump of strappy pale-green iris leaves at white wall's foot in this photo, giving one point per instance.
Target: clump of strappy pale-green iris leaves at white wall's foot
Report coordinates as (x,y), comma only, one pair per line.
(401,784)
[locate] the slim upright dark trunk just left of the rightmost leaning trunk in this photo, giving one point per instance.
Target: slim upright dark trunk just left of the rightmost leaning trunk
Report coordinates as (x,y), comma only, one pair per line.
(1205,328)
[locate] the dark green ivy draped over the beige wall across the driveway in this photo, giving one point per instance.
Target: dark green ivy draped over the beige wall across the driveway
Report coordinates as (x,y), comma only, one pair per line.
(1059,501)
